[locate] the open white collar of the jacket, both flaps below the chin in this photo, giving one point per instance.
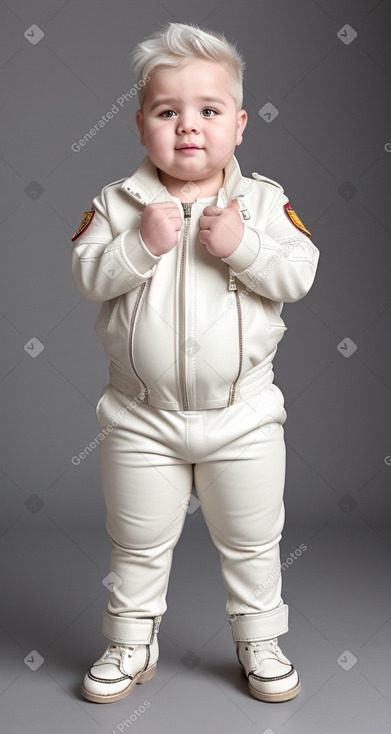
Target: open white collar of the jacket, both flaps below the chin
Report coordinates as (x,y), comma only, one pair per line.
(145,186)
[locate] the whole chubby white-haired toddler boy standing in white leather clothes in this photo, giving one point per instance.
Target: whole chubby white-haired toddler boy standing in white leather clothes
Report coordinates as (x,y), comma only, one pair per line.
(193,262)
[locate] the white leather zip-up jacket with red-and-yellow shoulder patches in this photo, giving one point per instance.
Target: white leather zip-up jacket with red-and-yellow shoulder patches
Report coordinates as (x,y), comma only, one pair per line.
(188,330)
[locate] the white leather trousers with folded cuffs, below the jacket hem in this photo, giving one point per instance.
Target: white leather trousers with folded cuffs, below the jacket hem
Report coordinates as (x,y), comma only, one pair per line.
(149,460)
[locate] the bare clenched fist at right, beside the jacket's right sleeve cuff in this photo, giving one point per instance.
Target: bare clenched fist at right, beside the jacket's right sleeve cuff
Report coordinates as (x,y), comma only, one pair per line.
(221,229)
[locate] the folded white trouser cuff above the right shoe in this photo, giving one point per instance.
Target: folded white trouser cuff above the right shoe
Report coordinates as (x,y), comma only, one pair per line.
(261,626)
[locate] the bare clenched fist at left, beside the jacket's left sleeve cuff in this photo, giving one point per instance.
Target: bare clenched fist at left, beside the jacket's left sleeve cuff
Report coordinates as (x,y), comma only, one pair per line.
(159,226)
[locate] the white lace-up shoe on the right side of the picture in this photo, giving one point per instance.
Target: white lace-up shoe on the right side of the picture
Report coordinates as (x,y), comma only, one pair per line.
(271,676)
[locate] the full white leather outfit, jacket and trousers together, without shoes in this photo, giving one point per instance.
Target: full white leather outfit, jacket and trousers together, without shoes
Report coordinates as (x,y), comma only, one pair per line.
(191,396)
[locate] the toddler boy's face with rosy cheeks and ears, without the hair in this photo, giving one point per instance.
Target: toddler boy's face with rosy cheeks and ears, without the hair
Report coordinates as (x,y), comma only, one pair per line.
(213,124)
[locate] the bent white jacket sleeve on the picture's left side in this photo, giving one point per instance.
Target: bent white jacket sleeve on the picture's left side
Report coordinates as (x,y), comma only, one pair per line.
(104,267)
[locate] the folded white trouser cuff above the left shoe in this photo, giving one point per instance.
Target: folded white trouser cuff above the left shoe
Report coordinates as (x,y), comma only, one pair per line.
(128,630)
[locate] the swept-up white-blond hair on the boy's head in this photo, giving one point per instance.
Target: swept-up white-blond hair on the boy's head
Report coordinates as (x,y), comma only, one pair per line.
(178,42)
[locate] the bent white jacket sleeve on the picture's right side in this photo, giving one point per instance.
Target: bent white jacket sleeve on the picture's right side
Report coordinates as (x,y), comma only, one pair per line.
(279,262)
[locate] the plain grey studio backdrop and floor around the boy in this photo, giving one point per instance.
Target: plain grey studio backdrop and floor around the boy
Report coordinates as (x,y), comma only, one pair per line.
(329,147)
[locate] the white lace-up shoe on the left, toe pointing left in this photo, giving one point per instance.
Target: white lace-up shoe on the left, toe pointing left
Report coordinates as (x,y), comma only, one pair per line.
(117,671)
